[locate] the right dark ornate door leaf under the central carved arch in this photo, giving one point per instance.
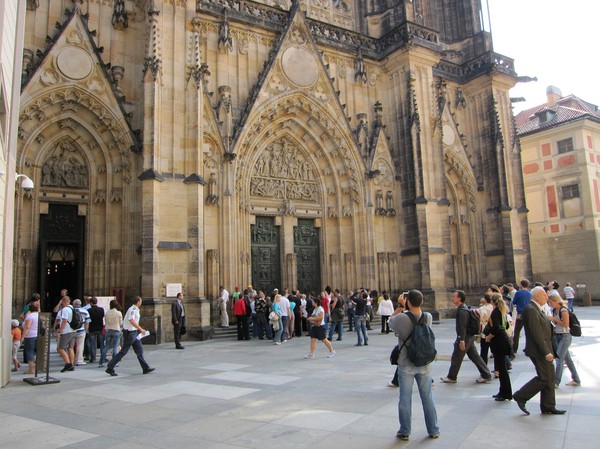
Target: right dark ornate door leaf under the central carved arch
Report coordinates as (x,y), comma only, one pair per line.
(306,246)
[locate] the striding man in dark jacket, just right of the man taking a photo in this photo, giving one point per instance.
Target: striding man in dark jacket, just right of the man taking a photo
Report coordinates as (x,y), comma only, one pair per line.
(465,343)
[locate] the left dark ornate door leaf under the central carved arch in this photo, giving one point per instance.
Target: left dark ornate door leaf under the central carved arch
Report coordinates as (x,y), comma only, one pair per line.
(266,267)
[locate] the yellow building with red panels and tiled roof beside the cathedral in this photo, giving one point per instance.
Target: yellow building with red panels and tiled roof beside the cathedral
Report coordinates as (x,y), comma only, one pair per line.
(560,144)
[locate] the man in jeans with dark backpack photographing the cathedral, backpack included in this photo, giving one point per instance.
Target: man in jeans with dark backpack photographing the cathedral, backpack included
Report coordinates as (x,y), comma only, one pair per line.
(417,350)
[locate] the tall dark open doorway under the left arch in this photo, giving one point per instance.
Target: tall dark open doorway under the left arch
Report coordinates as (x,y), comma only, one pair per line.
(61,254)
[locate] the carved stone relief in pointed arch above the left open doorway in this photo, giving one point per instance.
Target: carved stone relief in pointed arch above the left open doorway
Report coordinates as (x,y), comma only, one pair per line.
(65,168)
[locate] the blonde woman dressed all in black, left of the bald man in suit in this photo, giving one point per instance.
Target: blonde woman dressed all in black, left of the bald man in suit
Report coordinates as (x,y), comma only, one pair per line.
(500,345)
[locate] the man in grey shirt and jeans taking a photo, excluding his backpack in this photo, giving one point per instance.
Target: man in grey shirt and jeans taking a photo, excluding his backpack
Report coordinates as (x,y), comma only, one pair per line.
(403,326)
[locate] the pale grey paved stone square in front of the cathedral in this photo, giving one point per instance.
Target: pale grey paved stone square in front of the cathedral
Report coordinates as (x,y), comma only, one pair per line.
(253,394)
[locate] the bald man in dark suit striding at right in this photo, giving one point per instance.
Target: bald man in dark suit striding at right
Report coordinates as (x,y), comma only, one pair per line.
(538,347)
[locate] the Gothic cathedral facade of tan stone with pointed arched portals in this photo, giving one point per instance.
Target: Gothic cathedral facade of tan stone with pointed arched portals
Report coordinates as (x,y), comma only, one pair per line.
(234,142)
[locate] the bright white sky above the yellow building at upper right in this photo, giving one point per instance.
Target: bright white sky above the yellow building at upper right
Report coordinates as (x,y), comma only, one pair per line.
(556,41)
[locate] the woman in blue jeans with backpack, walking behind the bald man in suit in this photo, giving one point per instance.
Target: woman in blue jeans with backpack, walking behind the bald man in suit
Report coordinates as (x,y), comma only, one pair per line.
(562,340)
